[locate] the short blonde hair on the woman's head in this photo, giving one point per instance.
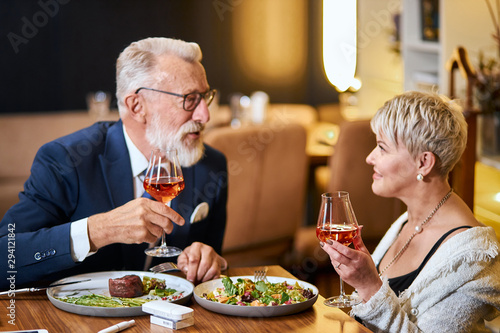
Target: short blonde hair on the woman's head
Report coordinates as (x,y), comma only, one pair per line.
(424,122)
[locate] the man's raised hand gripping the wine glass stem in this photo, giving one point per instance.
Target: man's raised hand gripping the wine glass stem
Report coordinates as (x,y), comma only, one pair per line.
(138,221)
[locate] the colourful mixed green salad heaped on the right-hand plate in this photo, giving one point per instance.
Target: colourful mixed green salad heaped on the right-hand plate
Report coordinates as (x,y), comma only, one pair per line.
(245,292)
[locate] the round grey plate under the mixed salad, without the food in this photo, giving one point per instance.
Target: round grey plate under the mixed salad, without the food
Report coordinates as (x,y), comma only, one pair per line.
(253,311)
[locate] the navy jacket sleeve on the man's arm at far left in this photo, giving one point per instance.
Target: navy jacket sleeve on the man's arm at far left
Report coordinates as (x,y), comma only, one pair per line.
(36,231)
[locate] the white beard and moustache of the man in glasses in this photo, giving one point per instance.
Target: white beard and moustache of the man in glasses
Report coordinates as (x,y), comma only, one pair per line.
(159,138)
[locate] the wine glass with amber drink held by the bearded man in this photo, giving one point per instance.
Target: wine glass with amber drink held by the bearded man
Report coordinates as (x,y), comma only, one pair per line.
(163,181)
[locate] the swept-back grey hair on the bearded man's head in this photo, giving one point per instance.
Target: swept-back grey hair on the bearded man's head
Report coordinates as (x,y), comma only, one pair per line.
(136,65)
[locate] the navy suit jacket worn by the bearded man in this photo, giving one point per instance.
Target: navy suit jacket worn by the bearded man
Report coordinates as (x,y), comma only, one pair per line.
(86,173)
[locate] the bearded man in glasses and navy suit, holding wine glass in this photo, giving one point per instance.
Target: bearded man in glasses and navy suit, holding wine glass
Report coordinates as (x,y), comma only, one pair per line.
(82,208)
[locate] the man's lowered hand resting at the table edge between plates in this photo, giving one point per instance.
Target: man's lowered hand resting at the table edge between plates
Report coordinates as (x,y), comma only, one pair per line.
(201,263)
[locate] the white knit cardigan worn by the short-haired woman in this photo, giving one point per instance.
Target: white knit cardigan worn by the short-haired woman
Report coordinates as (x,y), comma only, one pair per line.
(456,291)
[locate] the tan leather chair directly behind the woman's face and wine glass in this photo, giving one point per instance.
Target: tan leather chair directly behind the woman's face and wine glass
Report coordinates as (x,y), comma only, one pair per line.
(348,171)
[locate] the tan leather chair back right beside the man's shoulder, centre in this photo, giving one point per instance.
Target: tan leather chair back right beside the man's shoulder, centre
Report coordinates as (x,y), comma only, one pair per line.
(267,168)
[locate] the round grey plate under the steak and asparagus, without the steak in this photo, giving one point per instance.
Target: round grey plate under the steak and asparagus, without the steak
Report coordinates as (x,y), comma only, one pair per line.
(99,285)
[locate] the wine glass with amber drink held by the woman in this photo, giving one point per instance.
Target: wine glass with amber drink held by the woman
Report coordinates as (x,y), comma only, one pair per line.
(336,221)
